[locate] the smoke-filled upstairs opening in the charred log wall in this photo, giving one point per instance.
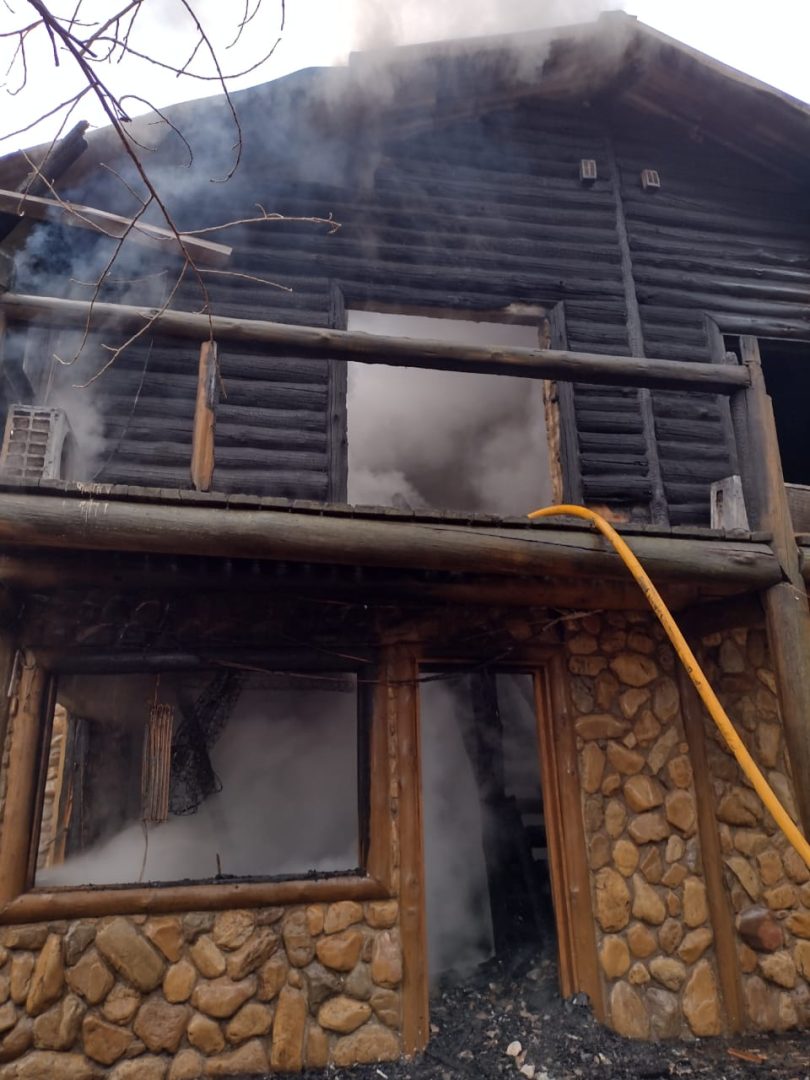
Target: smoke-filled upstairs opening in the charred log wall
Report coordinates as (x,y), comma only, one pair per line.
(444,440)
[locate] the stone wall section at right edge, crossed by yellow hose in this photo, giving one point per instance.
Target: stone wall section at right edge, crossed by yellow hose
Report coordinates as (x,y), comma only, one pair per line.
(768,883)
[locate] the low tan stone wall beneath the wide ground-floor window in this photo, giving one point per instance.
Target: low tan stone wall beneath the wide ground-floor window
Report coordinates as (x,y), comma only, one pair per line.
(201,995)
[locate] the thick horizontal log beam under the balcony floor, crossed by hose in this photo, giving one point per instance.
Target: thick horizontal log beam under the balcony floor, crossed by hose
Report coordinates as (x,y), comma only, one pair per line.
(102,524)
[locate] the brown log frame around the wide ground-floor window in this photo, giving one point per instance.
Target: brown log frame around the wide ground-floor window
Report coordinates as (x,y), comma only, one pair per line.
(22,902)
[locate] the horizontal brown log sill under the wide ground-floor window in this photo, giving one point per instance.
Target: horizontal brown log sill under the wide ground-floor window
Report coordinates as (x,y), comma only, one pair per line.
(40,906)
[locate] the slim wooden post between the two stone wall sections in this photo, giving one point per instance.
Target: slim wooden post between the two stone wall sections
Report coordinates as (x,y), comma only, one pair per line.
(720,902)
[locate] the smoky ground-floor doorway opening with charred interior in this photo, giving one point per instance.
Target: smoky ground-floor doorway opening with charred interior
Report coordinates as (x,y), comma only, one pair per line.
(488,880)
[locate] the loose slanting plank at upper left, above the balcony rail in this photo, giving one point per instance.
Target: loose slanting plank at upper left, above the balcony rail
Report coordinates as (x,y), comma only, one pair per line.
(204,252)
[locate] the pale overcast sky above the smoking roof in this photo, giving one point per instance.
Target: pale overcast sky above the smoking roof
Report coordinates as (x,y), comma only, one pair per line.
(769,42)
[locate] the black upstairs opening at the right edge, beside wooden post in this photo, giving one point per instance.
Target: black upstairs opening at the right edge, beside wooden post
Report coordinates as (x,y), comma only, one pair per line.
(787,371)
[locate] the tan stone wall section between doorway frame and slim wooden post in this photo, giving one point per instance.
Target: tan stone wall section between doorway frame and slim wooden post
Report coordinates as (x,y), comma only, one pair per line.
(654,933)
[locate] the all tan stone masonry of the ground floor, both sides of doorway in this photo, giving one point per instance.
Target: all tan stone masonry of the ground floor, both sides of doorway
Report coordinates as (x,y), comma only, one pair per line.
(280,990)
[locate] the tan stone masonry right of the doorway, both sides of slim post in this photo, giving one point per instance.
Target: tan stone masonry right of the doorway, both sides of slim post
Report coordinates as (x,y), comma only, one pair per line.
(656,941)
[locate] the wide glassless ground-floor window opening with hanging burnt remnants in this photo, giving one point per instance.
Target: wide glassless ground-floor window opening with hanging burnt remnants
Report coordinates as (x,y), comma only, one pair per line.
(198,776)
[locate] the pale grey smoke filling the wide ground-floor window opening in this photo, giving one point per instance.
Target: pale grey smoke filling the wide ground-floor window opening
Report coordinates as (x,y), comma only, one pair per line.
(288,766)
